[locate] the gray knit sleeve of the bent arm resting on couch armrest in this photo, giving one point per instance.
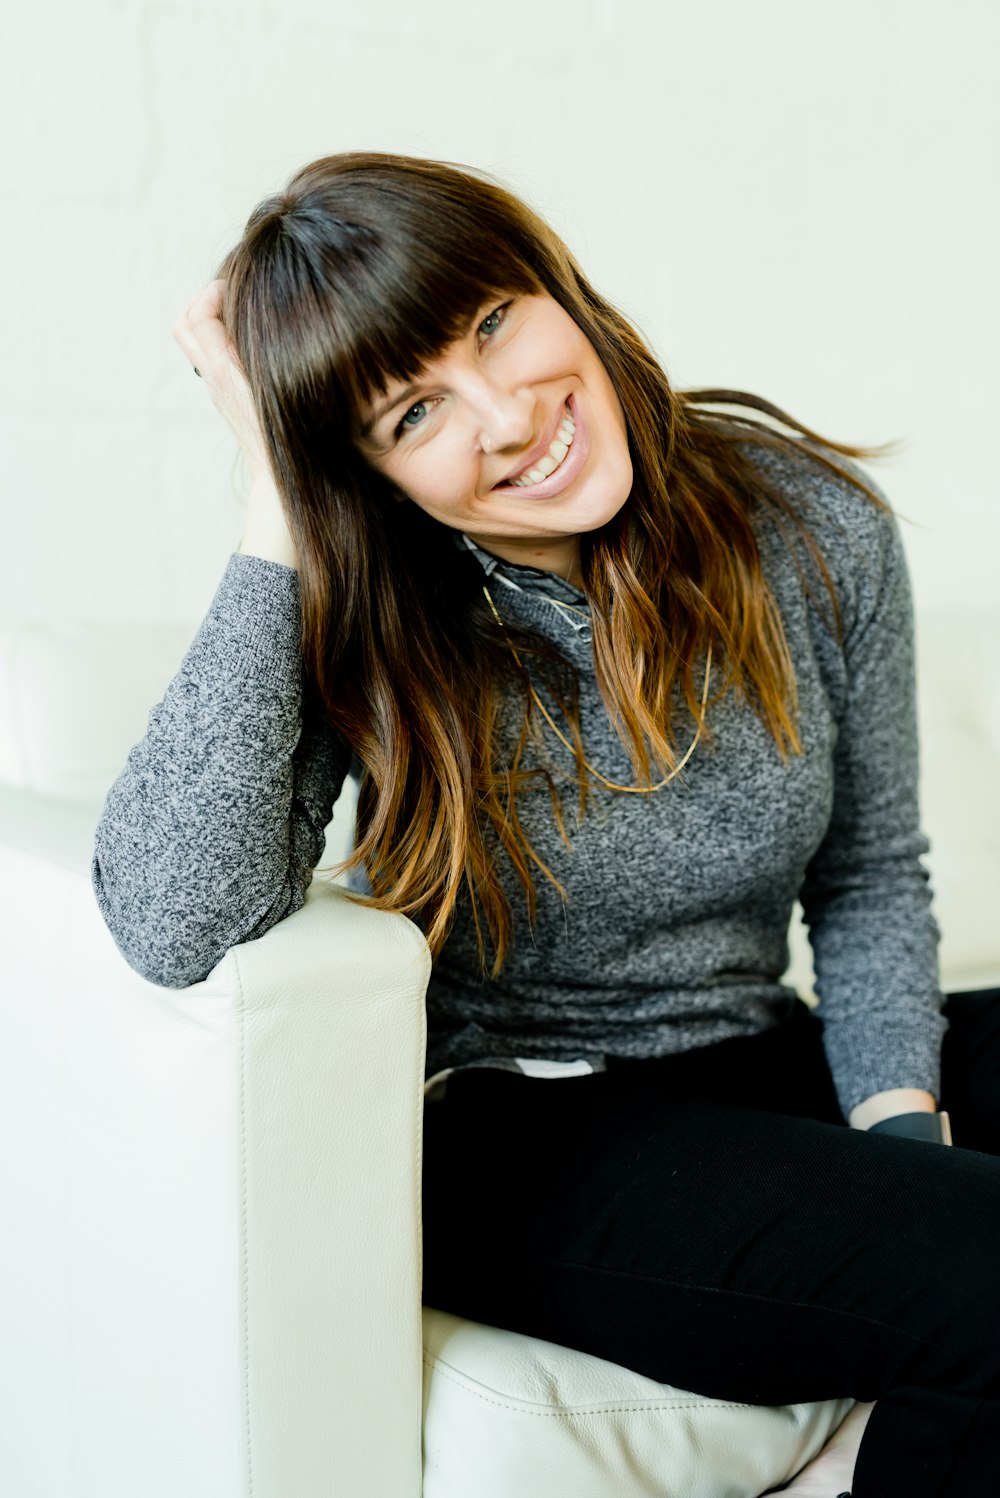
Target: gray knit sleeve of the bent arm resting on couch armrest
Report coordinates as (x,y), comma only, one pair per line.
(210,834)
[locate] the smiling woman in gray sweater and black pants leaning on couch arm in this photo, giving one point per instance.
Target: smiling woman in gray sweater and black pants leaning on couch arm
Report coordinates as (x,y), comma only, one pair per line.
(622,676)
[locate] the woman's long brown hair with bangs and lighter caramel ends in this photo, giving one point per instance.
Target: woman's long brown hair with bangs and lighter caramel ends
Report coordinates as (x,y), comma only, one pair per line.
(359,275)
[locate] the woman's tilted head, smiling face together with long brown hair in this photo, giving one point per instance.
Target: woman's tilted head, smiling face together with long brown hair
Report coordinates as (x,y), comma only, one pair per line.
(414,338)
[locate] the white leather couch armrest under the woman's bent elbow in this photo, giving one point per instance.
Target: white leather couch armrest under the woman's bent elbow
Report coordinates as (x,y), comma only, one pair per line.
(213,1280)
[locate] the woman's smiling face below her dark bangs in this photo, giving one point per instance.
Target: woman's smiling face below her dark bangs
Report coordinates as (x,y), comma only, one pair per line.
(466,440)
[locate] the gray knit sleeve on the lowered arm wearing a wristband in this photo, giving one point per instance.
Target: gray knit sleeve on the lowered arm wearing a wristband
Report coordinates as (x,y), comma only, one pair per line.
(866,894)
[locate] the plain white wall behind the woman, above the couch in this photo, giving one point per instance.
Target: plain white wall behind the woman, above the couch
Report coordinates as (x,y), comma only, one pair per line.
(794,197)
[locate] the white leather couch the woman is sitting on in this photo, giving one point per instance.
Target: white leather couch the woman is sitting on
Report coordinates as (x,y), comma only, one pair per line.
(210,1259)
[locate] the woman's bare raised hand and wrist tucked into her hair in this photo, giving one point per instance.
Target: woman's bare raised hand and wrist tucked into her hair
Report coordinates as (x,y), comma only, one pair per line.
(206,344)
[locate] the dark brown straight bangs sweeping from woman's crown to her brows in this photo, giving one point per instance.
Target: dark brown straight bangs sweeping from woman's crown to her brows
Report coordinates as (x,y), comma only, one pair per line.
(371,279)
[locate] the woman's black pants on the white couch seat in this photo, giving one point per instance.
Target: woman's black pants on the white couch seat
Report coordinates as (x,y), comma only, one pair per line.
(710,1222)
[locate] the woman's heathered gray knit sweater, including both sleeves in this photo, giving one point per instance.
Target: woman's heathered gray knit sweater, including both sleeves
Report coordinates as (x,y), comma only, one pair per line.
(674,933)
